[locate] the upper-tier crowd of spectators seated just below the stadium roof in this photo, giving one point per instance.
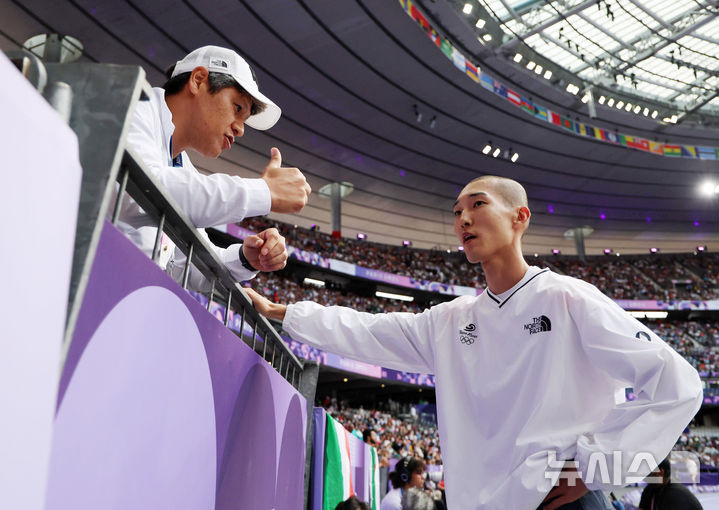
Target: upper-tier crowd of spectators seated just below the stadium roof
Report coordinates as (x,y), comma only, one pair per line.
(657,277)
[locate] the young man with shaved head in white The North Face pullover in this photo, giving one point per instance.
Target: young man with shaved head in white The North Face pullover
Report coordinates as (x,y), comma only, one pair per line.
(528,373)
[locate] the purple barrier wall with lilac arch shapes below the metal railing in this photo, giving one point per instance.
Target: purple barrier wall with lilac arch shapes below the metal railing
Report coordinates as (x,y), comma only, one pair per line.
(160,406)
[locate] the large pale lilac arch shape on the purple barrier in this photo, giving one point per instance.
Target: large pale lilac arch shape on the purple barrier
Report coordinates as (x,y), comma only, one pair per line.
(136,427)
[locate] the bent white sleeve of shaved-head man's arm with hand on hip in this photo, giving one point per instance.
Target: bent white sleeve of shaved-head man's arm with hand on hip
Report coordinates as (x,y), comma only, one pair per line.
(668,389)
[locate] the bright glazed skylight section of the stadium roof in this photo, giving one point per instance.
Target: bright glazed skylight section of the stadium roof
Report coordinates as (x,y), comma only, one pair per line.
(667,50)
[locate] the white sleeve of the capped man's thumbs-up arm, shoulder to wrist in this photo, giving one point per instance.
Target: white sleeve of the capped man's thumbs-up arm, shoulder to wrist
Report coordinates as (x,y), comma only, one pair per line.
(208,200)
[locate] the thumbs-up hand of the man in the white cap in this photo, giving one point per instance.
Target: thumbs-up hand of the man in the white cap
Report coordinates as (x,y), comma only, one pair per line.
(288,187)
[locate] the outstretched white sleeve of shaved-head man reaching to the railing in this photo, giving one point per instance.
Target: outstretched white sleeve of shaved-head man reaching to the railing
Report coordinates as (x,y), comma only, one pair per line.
(402,341)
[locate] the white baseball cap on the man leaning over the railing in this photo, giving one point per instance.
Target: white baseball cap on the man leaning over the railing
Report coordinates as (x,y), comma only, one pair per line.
(224,61)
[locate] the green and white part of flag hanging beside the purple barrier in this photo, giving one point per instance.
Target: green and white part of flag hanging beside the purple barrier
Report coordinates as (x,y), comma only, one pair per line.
(338,471)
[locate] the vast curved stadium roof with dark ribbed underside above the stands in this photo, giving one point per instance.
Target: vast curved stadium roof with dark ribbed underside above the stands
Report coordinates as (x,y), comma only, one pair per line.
(369,98)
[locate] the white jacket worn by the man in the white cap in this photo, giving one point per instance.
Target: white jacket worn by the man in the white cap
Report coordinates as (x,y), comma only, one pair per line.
(208,200)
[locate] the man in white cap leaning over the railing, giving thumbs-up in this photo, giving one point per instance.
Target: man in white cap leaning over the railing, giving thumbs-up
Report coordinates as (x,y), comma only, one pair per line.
(209,97)
